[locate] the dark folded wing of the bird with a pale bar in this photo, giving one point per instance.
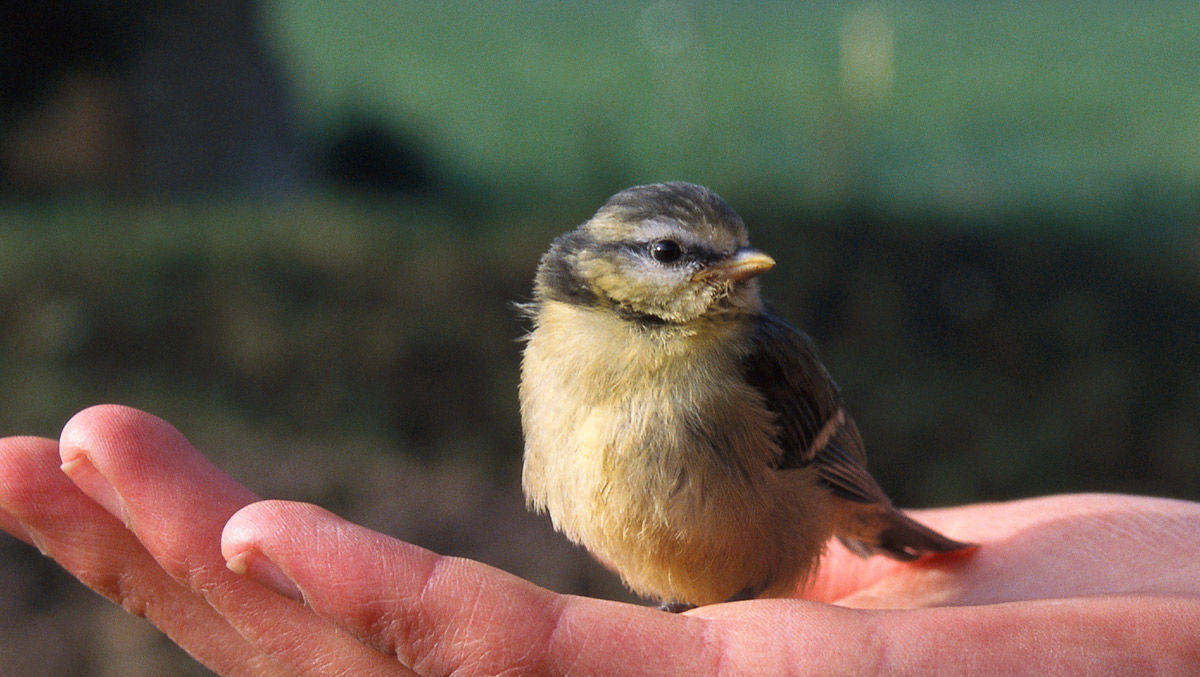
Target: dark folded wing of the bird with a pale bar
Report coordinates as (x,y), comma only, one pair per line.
(813,427)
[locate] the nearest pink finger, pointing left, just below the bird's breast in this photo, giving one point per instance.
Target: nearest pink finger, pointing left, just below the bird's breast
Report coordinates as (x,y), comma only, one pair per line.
(442,615)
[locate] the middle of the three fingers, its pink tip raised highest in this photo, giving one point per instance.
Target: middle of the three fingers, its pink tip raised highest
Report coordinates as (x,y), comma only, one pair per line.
(177,502)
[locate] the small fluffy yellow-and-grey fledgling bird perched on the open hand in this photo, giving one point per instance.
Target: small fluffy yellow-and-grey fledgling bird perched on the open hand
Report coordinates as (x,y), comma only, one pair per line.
(676,428)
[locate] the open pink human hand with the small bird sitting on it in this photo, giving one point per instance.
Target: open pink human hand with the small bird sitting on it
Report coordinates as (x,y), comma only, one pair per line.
(1063,583)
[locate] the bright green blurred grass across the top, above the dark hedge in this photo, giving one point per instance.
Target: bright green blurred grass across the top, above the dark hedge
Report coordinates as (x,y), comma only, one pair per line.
(957,109)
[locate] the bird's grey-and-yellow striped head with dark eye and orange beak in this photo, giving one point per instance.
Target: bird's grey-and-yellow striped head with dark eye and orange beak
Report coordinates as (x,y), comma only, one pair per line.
(665,254)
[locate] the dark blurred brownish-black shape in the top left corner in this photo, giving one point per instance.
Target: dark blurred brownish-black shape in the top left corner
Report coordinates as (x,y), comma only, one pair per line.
(143,99)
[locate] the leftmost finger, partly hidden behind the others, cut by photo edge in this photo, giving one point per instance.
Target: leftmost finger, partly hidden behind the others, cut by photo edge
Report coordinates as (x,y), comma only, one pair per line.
(40,501)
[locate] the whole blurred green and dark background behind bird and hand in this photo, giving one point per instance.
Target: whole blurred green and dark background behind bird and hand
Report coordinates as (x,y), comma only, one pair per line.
(296,230)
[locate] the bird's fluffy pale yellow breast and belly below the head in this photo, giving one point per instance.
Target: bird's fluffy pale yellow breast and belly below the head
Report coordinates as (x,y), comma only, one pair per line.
(653,452)
